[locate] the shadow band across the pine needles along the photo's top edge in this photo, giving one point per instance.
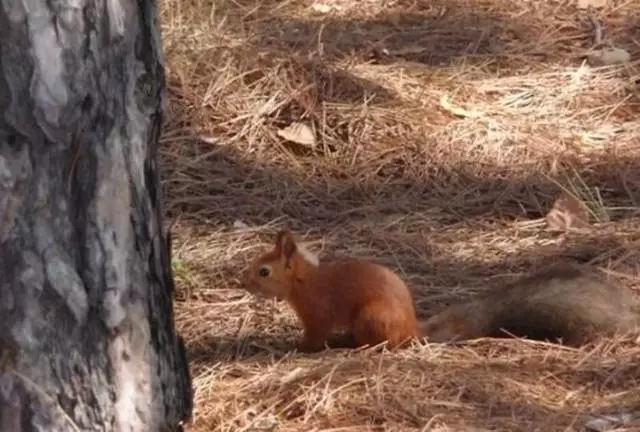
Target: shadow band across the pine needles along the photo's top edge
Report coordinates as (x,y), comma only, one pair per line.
(427,32)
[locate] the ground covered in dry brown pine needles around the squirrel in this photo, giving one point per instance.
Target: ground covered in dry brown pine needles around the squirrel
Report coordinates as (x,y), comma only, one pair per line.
(453,203)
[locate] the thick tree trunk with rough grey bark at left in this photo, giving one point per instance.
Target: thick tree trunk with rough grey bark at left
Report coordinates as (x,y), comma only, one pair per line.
(87,339)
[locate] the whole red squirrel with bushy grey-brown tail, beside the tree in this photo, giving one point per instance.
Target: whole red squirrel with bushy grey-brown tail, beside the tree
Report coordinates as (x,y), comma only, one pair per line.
(565,303)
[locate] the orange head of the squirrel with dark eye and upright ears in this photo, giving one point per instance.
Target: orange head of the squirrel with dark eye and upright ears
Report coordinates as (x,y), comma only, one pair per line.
(274,273)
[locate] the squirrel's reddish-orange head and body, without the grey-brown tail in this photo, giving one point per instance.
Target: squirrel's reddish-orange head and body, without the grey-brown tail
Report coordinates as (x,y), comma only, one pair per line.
(367,299)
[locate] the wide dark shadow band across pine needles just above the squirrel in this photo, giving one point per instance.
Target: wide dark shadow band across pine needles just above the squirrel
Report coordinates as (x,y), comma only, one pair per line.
(234,187)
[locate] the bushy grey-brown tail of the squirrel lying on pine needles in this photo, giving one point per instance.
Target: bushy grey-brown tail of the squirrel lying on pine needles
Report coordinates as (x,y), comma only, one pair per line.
(566,303)
